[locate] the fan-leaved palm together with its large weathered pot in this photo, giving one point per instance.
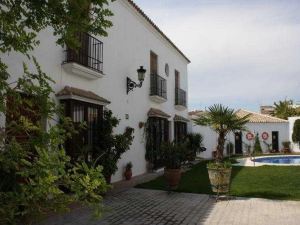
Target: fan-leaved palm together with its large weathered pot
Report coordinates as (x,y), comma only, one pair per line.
(222,120)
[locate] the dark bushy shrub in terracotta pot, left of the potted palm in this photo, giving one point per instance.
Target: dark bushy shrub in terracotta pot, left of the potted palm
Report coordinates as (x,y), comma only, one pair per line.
(172,156)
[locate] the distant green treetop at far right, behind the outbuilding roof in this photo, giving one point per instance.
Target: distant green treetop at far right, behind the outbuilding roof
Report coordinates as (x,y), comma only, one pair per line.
(283,109)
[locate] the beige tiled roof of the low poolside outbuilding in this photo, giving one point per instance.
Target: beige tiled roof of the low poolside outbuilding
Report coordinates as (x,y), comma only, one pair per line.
(259,118)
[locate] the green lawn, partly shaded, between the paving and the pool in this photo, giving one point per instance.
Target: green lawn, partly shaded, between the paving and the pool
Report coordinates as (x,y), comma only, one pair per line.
(274,182)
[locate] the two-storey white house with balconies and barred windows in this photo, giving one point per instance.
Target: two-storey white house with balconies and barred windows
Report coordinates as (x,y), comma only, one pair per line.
(96,77)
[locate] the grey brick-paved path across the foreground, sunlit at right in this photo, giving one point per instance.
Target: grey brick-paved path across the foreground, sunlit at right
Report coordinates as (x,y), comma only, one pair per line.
(142,207)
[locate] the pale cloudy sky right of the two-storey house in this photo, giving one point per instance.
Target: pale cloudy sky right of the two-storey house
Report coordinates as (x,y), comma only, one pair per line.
(244,53)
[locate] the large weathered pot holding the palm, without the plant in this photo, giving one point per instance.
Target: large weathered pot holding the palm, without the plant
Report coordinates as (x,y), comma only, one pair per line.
(219,179)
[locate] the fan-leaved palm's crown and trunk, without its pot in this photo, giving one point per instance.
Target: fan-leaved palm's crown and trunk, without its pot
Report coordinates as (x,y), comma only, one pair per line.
(222,120)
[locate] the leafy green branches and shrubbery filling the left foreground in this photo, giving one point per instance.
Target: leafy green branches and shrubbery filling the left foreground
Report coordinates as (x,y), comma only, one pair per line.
(37,176)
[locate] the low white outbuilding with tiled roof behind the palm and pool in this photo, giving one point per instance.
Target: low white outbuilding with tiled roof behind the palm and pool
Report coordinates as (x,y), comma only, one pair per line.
(272,131)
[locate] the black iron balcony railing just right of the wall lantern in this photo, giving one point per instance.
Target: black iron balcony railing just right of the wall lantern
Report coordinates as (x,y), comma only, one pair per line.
(158,86)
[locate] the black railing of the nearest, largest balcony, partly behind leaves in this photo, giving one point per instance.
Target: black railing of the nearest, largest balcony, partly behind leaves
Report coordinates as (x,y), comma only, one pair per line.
(89,54)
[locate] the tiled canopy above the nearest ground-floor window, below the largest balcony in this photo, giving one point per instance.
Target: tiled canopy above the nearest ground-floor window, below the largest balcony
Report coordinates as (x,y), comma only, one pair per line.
(72,91)
